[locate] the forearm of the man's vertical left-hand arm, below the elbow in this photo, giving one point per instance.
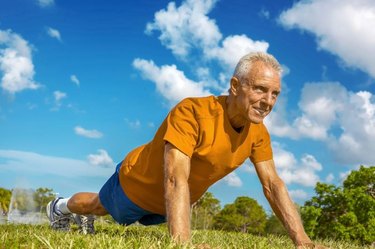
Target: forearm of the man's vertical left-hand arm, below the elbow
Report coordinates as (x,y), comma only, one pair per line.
(178,209)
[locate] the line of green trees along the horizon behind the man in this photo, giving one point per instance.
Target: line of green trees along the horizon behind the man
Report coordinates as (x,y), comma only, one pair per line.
(344,212)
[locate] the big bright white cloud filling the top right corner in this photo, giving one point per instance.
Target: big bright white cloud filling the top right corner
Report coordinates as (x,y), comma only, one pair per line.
(335,23)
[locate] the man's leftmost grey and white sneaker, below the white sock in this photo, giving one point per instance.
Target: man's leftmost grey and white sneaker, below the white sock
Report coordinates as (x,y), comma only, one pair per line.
(58,221)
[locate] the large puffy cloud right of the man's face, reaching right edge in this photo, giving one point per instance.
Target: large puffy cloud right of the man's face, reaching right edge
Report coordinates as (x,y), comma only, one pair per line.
(344,120)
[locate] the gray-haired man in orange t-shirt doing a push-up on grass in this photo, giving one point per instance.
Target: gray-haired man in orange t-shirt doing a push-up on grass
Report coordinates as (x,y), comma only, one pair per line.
(201,141)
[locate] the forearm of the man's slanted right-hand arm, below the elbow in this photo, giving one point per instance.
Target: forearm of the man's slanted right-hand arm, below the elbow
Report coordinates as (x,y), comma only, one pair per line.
(285,209)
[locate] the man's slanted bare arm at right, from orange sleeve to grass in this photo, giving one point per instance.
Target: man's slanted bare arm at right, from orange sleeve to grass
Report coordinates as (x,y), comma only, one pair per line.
(277,195)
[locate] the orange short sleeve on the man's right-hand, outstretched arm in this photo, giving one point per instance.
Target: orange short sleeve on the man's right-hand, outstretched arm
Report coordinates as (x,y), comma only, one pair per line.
(262,149)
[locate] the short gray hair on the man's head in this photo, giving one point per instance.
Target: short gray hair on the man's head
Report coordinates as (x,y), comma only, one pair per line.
(245,63)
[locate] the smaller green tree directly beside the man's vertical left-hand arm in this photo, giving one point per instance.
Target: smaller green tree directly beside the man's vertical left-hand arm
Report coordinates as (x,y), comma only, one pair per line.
(204,210)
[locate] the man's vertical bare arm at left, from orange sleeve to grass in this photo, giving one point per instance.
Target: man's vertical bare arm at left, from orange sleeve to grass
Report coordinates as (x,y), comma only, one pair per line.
(177,197)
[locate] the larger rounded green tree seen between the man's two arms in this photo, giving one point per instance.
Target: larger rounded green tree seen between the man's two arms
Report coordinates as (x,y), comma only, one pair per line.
(244,215)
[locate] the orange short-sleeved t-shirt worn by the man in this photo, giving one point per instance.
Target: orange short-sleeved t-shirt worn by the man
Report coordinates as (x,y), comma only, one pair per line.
(198,127)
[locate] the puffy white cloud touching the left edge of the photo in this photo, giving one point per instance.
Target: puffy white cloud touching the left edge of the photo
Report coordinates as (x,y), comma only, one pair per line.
(16,63)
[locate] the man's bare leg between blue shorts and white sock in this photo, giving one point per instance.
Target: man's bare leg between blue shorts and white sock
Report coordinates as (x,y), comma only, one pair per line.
(86,203)
